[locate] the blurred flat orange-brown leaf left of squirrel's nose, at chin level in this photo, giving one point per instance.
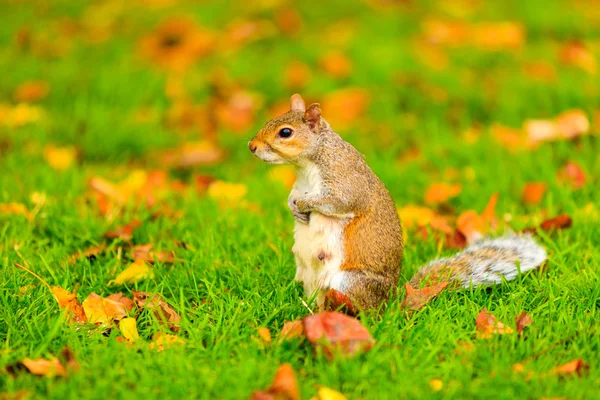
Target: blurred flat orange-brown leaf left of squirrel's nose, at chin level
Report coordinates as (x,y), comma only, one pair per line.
(193,154)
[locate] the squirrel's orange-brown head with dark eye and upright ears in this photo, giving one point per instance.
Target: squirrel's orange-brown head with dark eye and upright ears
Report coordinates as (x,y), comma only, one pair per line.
(290,137)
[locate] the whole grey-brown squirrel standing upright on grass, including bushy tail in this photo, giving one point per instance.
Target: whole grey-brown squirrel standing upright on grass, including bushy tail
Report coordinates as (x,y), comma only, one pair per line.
(347,233)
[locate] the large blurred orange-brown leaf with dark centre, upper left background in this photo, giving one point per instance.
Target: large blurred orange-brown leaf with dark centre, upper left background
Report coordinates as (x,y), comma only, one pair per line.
(177,43)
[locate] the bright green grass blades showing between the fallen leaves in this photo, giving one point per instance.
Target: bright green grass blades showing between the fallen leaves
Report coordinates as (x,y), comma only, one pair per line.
(95,88)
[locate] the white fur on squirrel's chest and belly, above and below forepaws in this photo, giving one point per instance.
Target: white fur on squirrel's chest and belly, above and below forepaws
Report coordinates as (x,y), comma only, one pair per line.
(319,245)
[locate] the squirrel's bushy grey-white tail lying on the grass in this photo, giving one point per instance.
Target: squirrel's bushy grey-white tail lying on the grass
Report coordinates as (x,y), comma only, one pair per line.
(484,262)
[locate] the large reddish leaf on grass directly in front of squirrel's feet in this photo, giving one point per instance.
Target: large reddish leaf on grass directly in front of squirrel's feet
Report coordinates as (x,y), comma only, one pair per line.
(337,333)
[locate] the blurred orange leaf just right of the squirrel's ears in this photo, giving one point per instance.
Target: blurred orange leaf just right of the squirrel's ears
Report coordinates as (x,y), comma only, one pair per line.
(343,107)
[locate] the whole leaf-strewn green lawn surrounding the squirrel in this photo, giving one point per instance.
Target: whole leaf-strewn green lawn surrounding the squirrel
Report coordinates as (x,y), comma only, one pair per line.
(117,112)
